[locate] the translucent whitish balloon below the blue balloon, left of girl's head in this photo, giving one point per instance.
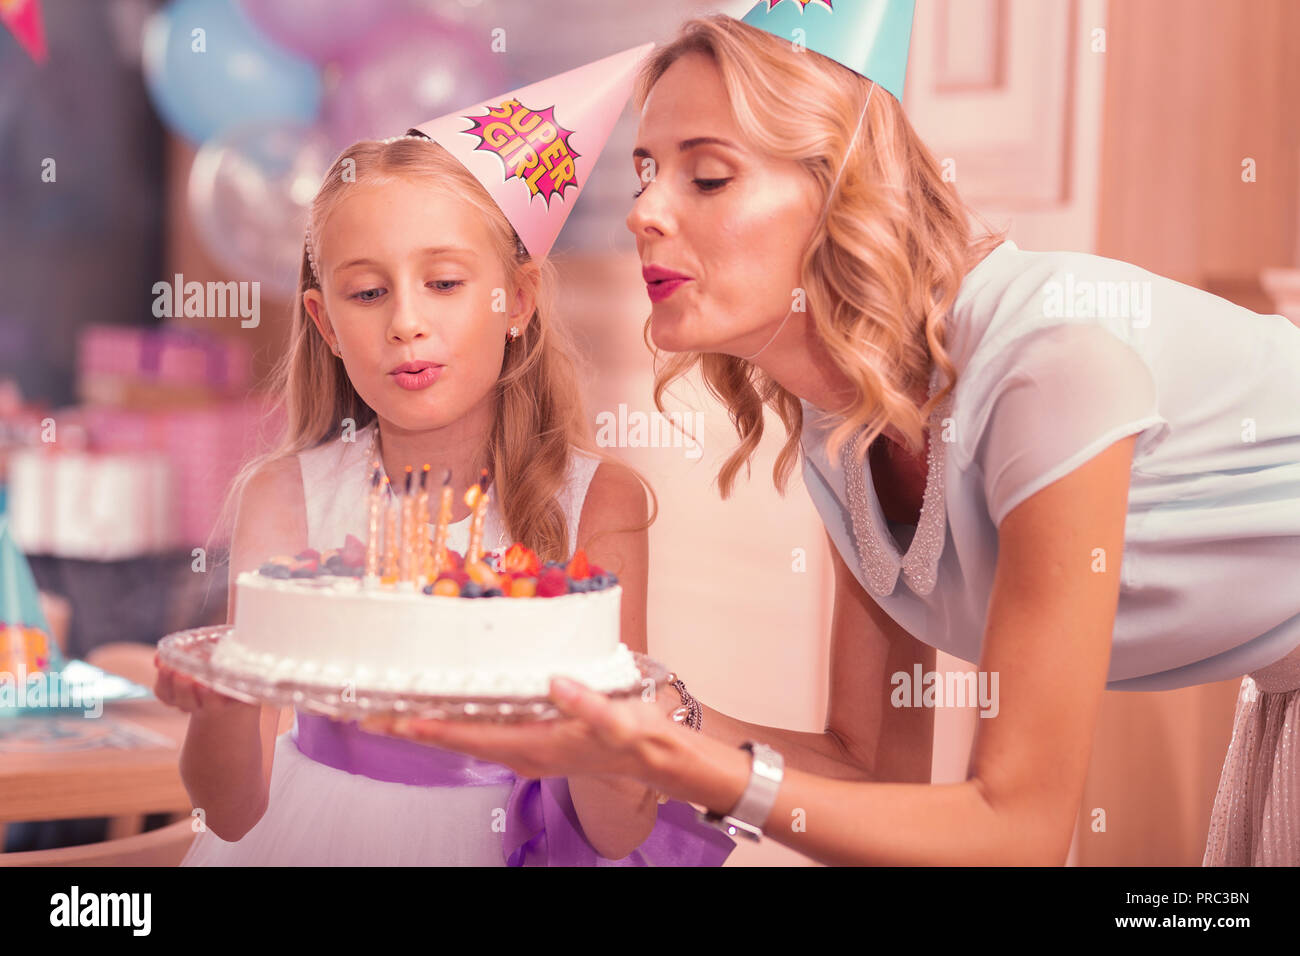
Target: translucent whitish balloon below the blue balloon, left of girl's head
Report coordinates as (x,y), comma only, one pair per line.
(250,191)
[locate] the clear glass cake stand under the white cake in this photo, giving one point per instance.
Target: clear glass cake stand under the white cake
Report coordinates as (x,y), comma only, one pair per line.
(190,654)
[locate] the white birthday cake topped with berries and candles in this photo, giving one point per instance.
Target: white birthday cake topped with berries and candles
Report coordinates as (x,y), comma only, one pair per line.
(406,615)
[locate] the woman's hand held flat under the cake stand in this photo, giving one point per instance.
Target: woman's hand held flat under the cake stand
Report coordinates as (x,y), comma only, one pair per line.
(597,737)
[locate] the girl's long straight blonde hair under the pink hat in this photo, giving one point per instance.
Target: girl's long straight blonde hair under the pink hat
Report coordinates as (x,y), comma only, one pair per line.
(540,412)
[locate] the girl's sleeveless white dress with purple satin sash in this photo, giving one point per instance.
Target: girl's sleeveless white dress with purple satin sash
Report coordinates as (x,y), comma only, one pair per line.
(323,815)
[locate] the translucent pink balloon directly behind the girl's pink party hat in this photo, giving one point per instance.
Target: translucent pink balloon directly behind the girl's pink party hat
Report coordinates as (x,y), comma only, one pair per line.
(409,72)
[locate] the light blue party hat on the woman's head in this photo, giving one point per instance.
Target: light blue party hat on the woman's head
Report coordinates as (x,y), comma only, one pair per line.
(869,37)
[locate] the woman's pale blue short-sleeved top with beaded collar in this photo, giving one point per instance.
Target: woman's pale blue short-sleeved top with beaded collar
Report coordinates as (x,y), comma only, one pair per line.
(1060,356)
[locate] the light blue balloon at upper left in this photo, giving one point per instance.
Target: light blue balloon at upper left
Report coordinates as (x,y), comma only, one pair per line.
(209,70)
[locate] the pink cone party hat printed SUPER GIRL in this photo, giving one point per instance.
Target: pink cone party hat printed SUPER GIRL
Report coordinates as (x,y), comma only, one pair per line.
(534,149)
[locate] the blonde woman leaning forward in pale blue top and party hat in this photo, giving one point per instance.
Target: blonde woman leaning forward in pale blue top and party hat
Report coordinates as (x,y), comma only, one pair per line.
(1076,499)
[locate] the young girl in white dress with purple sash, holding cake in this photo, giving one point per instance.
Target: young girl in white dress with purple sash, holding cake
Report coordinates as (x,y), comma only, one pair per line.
(423,323)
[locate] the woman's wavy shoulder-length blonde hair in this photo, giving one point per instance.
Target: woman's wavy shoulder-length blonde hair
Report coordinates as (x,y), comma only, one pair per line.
(882,270)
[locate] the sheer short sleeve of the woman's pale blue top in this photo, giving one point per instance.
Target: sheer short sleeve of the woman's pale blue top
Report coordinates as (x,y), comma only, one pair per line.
(1072,392)
